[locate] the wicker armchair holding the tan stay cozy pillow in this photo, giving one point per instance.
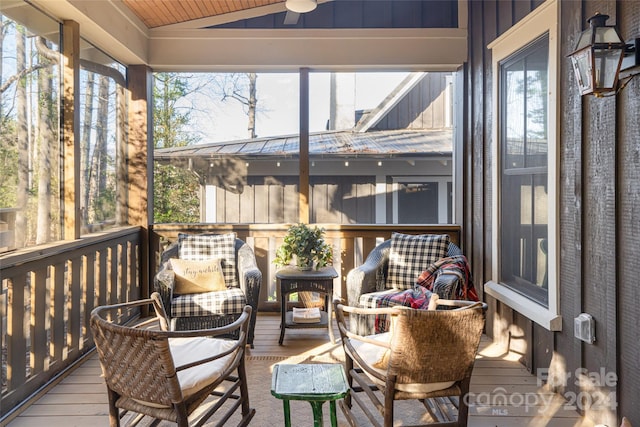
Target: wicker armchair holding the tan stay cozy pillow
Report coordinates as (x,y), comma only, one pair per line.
(249,278)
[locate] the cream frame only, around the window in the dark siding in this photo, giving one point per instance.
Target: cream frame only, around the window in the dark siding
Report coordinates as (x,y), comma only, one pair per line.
(544,19)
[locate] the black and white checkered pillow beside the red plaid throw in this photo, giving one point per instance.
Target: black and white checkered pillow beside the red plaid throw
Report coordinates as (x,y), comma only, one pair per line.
(411,254)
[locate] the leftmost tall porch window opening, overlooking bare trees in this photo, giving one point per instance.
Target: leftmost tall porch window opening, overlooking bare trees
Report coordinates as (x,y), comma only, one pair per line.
(30,198)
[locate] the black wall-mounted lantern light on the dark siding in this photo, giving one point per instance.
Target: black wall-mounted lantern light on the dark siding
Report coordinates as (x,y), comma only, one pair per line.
(598,58)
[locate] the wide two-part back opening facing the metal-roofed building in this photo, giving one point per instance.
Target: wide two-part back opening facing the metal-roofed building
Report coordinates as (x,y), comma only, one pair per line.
(380,147)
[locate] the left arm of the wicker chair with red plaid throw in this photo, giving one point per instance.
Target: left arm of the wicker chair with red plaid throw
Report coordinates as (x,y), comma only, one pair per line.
(370,276)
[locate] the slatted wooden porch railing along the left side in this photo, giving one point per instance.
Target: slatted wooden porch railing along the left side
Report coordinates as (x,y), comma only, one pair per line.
(47,297)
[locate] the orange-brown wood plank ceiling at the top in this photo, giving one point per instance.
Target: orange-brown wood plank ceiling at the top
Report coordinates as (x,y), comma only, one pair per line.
(156,13)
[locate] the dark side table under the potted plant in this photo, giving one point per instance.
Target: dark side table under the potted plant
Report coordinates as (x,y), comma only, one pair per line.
(293,280)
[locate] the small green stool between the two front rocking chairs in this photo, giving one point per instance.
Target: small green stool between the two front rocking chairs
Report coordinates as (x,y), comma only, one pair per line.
(314,383)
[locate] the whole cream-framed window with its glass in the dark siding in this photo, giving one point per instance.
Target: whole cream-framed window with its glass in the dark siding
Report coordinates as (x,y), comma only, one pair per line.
(525,66)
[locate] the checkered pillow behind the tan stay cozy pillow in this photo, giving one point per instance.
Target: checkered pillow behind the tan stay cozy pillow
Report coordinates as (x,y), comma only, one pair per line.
(200,247)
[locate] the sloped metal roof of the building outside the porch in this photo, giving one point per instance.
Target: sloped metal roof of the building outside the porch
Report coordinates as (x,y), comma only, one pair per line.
(385,143)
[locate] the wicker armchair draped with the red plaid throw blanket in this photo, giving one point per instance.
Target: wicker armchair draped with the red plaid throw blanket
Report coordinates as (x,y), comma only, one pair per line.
(371,277)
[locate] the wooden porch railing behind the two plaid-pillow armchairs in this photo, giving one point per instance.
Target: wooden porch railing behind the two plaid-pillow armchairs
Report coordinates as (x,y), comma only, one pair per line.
(351,245)
